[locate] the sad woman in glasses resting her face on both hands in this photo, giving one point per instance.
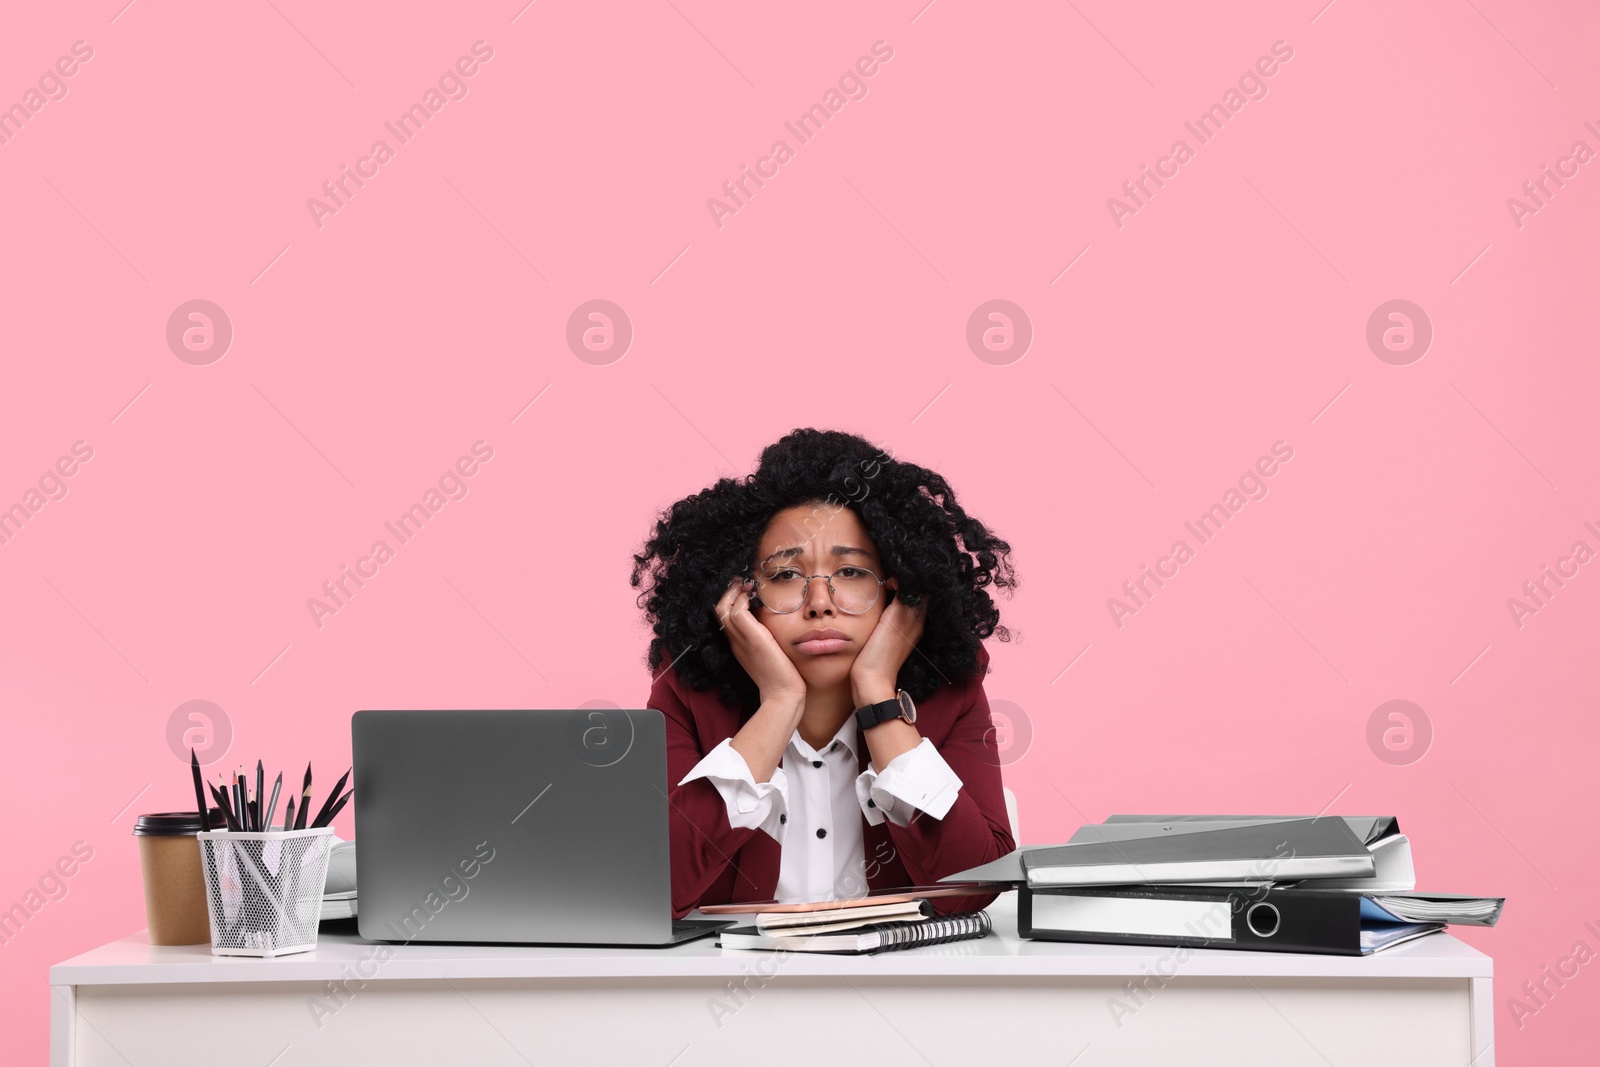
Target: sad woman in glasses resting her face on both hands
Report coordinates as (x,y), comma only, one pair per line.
(818,657)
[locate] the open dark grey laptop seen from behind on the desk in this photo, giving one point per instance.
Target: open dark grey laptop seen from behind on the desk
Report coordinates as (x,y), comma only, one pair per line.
(516,828)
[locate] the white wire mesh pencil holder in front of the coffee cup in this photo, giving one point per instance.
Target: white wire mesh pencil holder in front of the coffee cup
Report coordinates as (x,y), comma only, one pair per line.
(265,890)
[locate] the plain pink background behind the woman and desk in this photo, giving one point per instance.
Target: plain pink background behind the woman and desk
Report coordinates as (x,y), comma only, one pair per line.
(428,314)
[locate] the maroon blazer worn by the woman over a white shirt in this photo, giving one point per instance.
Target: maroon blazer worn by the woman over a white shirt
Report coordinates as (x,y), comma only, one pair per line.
(714,863)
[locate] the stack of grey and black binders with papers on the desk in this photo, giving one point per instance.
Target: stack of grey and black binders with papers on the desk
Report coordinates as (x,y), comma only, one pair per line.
(1342,885)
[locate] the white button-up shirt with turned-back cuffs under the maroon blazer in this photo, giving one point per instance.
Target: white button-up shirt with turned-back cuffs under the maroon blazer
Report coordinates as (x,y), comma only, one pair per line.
(815,801)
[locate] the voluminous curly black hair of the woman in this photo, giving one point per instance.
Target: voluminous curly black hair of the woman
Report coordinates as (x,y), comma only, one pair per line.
(926,540)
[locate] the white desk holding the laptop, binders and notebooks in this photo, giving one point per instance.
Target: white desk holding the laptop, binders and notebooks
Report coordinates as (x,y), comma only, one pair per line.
(962,1004)
